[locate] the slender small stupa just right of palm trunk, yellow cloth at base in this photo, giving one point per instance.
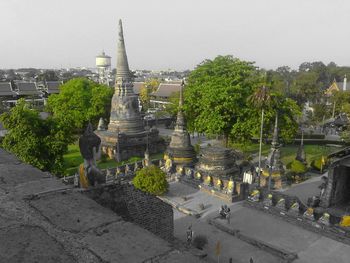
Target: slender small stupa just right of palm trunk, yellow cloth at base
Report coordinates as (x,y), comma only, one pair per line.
(273,173)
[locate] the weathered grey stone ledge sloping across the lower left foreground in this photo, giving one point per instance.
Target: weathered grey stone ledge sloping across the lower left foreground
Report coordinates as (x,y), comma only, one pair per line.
(43,220)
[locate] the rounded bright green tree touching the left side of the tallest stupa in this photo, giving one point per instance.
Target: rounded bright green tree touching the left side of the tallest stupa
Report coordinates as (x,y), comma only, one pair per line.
(80,101)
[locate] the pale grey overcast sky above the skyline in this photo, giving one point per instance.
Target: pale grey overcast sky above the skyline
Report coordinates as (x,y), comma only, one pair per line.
(173,34)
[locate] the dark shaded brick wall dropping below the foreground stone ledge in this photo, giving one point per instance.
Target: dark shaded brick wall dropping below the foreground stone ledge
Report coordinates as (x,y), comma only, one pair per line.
(133,205)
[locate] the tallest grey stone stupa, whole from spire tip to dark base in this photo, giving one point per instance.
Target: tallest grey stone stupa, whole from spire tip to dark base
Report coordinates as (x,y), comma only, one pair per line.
(126,136)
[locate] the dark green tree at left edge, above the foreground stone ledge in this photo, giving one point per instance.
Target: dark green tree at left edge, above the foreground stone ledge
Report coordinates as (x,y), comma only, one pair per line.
(35,141)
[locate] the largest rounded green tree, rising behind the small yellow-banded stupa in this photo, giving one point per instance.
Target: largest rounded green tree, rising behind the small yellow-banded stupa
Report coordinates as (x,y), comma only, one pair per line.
(217,93)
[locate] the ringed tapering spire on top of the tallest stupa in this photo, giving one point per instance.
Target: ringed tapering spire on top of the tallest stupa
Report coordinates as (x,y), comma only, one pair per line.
(122,59)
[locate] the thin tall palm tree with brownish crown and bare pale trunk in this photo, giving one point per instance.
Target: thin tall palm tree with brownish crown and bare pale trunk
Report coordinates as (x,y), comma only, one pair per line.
(262,99)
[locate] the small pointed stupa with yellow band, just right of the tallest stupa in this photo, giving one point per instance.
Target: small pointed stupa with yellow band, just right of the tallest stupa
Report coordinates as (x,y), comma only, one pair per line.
(180,149)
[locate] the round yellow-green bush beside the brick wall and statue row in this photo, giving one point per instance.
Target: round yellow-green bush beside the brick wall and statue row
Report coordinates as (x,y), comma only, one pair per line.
(152,180)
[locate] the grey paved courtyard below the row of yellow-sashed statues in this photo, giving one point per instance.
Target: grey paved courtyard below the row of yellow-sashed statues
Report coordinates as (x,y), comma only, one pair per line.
(309,246)
